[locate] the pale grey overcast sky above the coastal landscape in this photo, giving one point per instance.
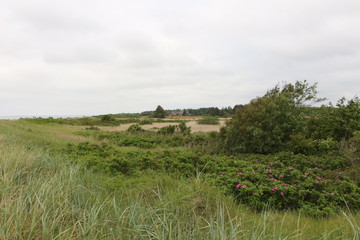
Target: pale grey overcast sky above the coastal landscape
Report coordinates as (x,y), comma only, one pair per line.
(110,56)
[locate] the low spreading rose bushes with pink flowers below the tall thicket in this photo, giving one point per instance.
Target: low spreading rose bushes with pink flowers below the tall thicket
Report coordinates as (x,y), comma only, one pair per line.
(317,185)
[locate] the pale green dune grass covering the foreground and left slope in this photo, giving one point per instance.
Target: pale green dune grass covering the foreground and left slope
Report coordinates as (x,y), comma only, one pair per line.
(43,195)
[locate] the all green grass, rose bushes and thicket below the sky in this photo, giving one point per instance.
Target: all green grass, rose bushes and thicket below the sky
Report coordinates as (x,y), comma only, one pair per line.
(279,169)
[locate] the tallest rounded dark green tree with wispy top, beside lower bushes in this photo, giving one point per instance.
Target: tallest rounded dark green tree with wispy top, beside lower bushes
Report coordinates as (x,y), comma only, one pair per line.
(266,124)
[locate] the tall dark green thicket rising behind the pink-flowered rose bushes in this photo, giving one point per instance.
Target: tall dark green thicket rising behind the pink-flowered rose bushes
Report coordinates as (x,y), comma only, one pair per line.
(284,120)
